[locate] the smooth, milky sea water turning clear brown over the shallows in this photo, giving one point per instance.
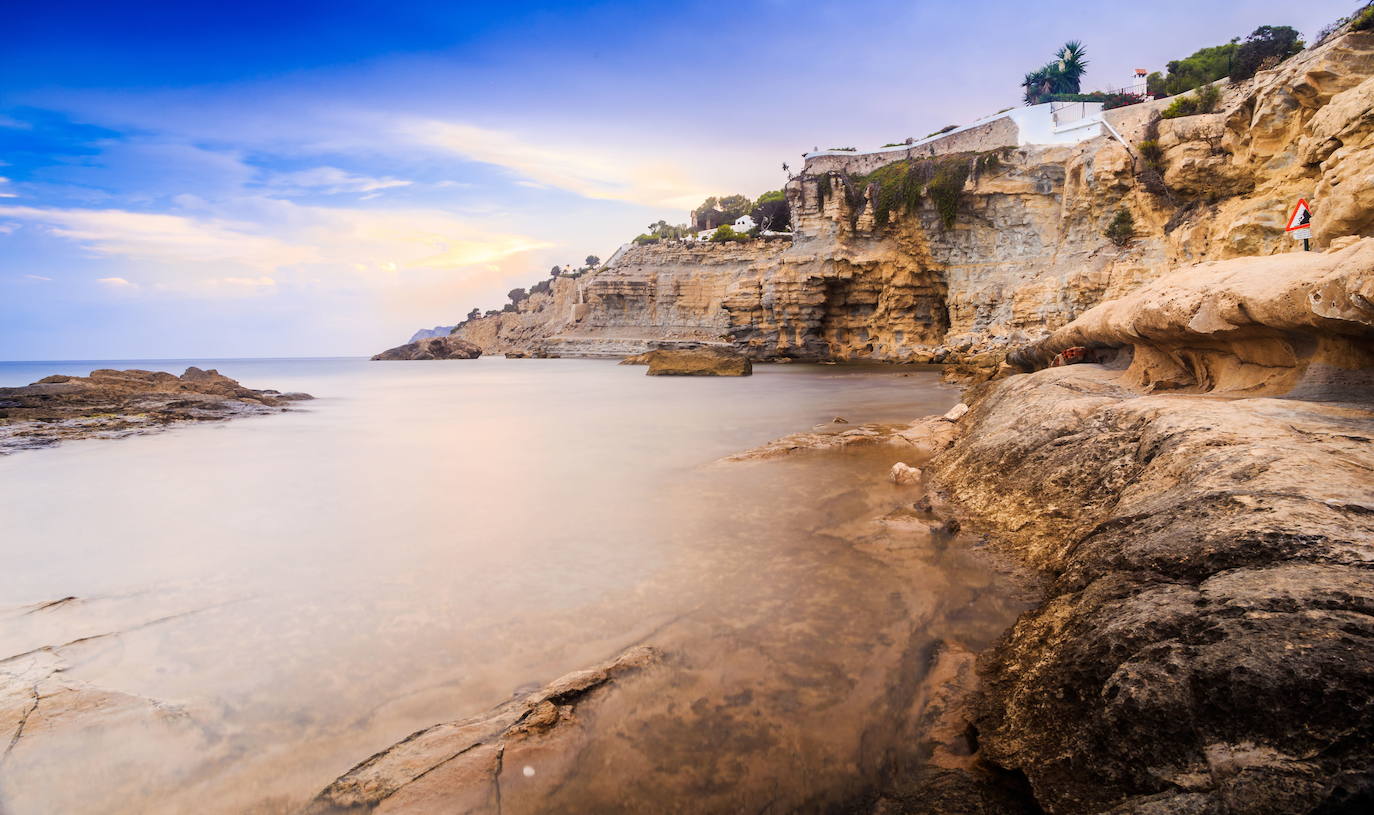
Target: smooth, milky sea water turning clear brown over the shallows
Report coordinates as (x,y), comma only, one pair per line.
(259,605)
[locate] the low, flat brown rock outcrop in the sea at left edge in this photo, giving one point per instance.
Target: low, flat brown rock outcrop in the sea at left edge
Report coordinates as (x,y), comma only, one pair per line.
(112,405)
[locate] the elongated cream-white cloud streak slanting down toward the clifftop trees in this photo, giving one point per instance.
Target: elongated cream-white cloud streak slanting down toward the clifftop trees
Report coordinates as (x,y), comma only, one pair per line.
(590,172)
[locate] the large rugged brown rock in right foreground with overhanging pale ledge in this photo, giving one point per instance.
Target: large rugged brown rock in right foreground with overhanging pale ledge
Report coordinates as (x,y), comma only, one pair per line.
(1206,520)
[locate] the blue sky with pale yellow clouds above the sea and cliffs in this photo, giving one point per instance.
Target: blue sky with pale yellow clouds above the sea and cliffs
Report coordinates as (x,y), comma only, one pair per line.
(238,179)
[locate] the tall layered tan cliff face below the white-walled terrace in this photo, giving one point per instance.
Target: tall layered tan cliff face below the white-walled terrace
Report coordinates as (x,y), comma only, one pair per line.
(1024,252)
